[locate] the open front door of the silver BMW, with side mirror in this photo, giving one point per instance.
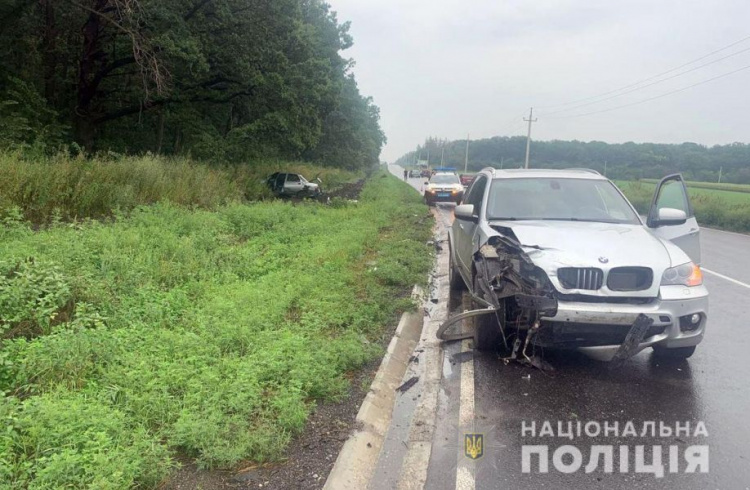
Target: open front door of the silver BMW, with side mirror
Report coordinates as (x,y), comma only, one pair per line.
(671,216)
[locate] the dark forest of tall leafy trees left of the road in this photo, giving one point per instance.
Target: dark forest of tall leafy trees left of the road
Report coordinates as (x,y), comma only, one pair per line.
(223,80)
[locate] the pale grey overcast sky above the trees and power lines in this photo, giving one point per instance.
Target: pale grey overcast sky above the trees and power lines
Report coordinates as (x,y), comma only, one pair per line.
(447,68)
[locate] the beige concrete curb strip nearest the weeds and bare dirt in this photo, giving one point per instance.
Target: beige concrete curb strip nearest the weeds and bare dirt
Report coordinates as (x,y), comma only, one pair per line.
(359,455)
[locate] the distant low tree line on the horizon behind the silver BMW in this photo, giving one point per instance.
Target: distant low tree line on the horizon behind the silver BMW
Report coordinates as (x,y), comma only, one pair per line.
(626,161)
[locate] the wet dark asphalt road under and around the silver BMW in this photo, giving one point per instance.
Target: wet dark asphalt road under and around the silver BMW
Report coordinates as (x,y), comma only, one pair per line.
(711,390)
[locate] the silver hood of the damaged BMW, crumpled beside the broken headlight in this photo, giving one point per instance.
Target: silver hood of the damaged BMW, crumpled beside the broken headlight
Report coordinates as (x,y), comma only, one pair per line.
(555,244)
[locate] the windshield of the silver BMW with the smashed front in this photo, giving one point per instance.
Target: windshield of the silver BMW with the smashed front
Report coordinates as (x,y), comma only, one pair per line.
(558,199)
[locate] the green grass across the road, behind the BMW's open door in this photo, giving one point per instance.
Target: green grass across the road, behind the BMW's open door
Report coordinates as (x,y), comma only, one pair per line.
(724,209)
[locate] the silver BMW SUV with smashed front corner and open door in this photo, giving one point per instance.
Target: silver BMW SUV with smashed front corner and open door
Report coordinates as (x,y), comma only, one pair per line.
(560,259)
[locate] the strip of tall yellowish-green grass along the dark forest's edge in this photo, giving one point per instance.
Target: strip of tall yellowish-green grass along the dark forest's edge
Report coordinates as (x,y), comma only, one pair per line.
(65,188)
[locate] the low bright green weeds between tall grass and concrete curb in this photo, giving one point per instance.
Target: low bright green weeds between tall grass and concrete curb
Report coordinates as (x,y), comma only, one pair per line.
(209,332)
